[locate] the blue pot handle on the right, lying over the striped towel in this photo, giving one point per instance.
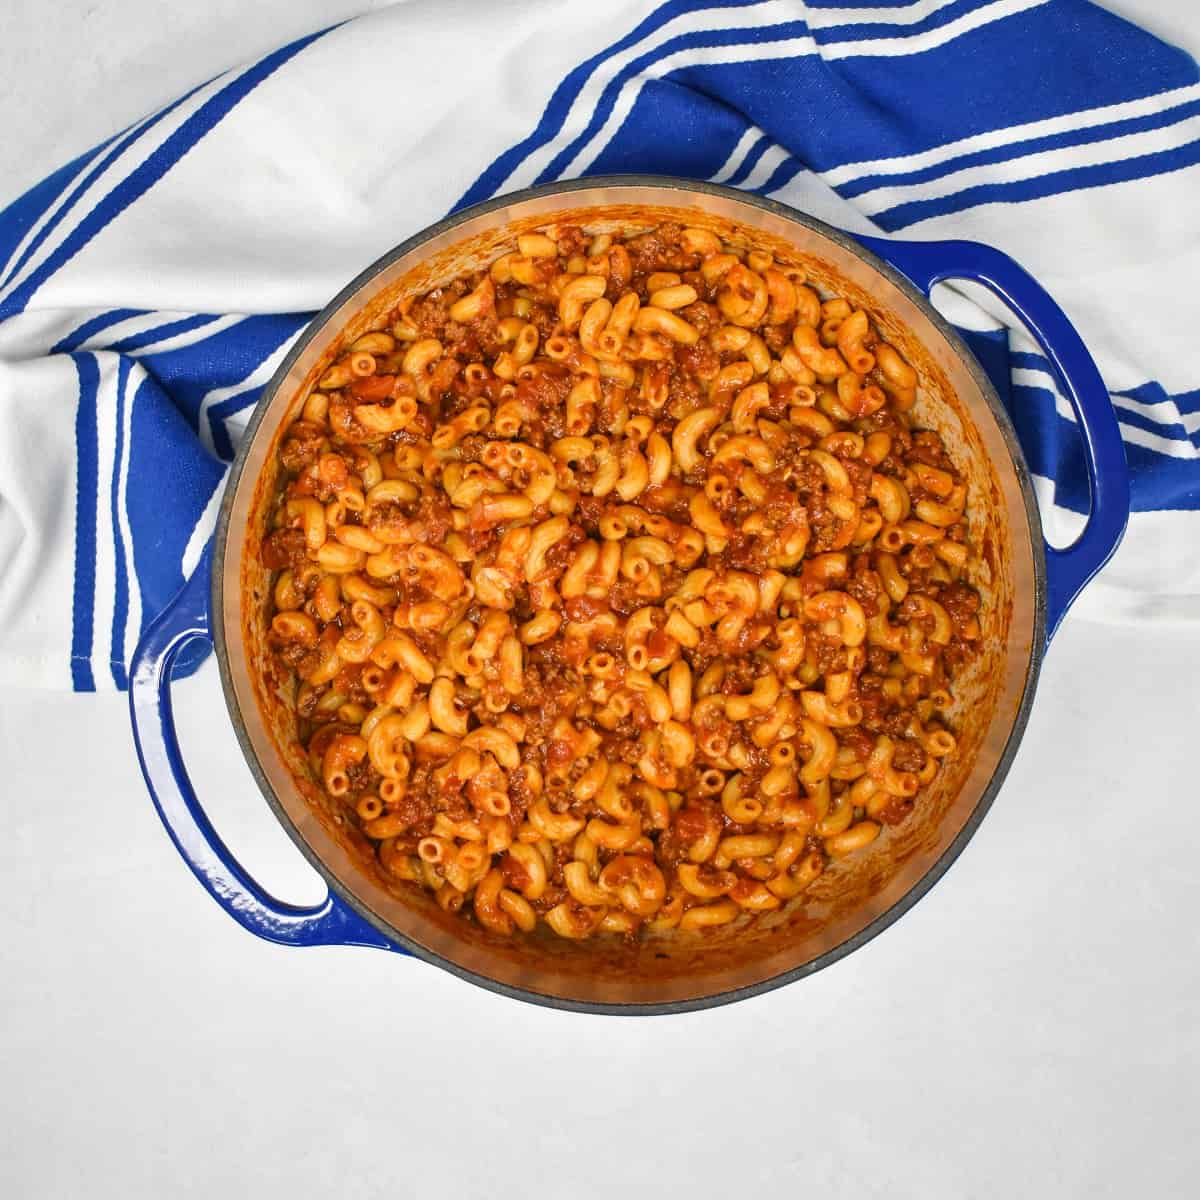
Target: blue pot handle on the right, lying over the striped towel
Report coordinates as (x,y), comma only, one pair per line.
(1069,569)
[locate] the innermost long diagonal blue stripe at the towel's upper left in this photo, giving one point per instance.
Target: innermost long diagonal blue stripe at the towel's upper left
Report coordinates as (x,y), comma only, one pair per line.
(202,122)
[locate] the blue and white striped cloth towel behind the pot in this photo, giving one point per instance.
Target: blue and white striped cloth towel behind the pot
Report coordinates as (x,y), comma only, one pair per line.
(149,289)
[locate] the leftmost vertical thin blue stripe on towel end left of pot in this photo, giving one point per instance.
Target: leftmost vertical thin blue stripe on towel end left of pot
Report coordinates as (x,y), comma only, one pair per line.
(87,483)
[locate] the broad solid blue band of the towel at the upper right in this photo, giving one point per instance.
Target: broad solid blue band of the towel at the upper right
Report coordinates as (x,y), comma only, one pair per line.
(1013,71)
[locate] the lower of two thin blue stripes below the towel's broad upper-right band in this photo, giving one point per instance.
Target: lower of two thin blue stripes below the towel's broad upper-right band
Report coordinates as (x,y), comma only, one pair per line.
(1018,191)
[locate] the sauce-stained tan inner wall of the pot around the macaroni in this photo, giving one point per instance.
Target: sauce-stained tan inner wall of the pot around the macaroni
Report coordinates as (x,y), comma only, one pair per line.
(857,896)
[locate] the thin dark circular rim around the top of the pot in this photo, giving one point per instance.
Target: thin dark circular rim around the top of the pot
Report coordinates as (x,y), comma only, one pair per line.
(685,189)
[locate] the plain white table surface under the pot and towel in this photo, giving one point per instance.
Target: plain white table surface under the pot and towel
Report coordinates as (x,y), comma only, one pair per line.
(1031,1029)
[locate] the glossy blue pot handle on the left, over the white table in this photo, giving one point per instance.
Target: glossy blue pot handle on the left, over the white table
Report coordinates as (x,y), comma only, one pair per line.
(185,621)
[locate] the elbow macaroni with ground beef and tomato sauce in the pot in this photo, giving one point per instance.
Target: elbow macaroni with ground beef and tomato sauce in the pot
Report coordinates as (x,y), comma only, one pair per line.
(620,589)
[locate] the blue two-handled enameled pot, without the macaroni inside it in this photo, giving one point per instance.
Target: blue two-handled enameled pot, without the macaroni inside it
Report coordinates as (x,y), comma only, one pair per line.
(1027,589)
